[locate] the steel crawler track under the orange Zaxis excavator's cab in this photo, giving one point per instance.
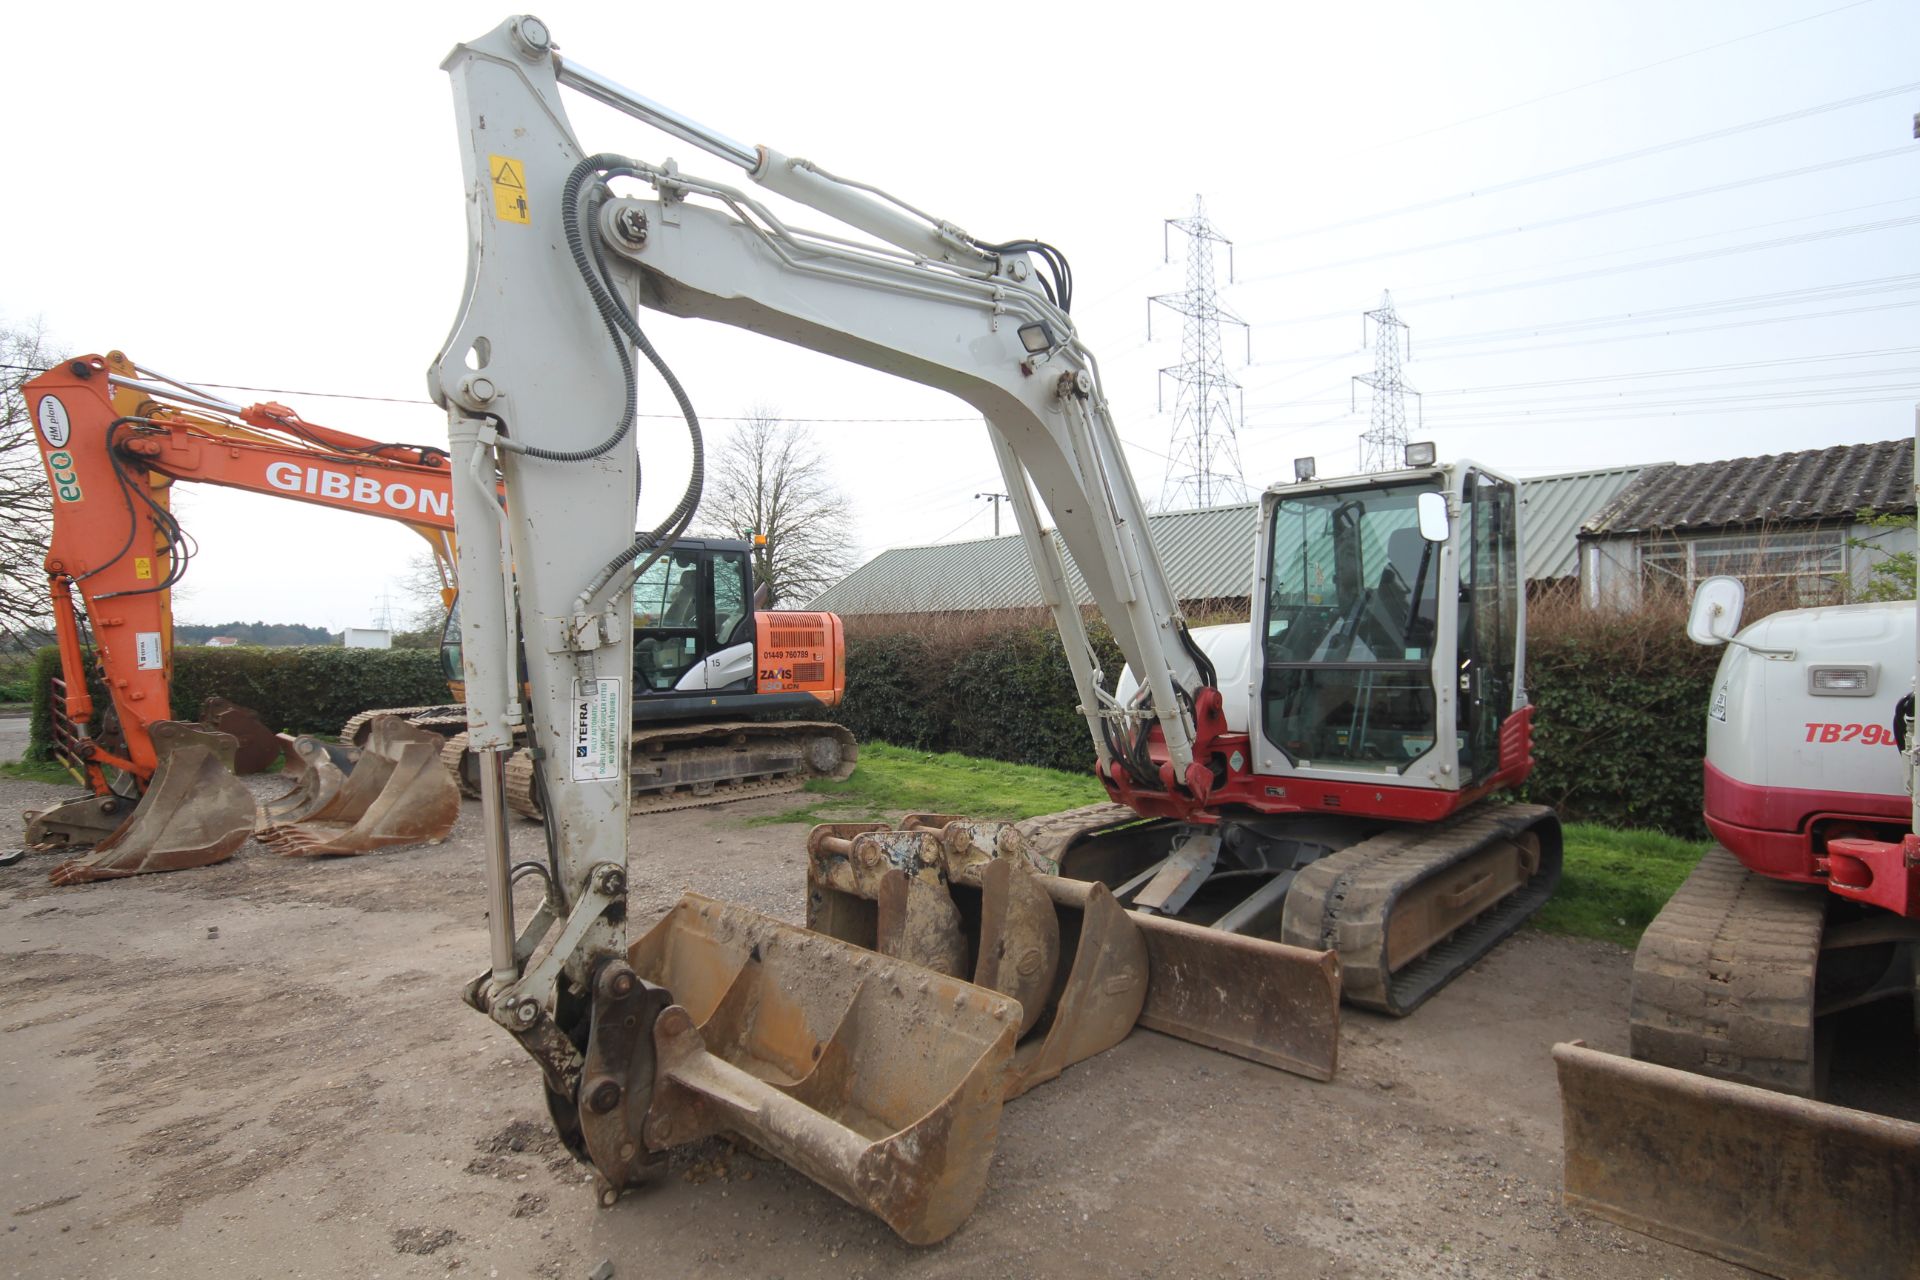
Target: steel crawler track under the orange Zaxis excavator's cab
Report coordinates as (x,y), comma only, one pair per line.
(698,765)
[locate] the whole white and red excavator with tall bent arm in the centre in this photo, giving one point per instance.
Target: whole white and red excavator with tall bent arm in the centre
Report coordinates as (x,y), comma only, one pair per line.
(1305,801)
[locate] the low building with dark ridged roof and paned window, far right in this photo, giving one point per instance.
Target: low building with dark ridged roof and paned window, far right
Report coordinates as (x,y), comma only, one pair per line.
(1787,523)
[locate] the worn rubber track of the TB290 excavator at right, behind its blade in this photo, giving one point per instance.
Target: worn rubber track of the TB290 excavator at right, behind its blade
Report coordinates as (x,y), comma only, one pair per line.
(1725,980)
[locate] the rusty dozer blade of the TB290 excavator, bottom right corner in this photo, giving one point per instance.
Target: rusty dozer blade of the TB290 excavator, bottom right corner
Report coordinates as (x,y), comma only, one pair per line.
(1783,1185)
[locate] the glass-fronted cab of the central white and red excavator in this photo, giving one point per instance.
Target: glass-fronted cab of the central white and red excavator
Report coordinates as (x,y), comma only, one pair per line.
(1389,644)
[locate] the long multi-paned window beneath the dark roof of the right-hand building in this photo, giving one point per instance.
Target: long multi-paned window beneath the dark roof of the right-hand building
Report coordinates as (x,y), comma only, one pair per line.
(1788,569)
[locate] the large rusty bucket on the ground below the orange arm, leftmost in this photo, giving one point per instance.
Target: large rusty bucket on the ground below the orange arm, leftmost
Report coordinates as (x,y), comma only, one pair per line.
(195,813)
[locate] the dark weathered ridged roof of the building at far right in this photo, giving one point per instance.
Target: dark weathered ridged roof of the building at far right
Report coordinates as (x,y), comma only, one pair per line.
(1781,488)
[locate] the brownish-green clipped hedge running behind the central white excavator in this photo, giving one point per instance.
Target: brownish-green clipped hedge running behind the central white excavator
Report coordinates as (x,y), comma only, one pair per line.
(1620,723)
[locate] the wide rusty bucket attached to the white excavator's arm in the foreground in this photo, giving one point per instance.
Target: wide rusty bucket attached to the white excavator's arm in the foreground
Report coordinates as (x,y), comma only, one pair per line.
(875,1078)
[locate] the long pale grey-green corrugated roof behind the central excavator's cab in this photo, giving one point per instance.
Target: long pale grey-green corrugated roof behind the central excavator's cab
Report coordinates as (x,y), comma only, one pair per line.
(1209,556)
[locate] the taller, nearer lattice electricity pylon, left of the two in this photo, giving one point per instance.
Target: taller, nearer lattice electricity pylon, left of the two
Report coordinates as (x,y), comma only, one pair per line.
(1205,452)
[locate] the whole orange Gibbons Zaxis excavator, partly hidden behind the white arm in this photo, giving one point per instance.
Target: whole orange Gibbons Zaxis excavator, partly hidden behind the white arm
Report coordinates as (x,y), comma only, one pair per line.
(711,657)
